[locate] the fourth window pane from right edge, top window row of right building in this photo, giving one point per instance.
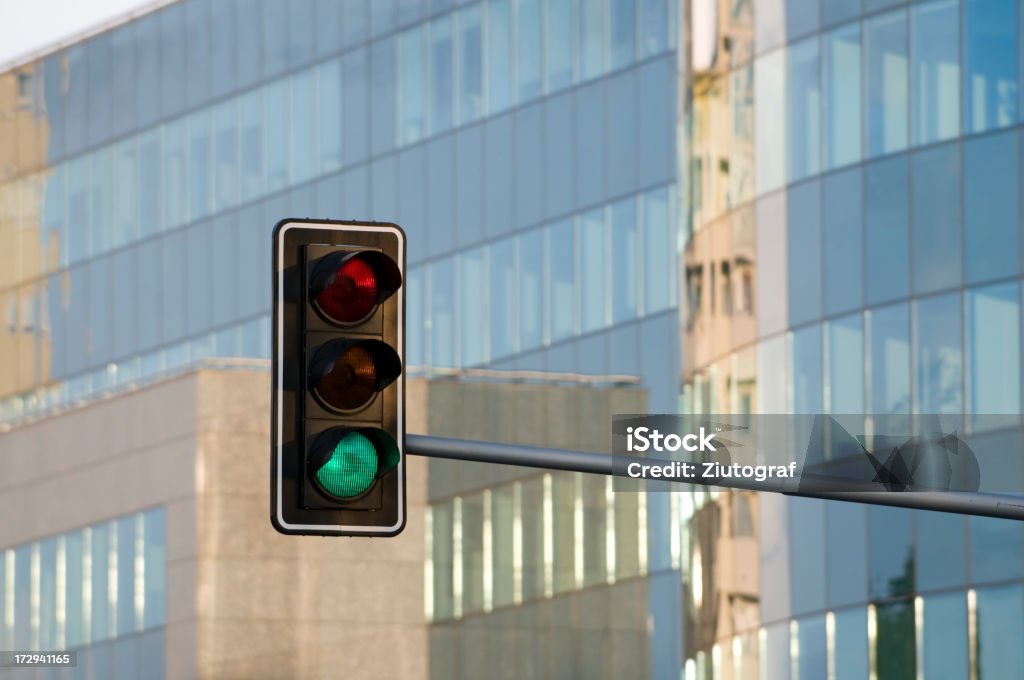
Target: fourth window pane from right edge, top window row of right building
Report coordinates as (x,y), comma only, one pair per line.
(842,89)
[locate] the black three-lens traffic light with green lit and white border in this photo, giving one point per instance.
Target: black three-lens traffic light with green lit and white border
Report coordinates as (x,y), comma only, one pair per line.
(337,463)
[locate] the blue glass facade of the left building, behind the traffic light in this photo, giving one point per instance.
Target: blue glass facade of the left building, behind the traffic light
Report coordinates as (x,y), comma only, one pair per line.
(151,160)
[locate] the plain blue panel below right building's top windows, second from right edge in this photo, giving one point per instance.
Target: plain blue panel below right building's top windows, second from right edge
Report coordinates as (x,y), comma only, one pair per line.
(936,232)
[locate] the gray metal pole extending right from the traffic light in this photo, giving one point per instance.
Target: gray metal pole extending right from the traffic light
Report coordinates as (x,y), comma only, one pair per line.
(992,505)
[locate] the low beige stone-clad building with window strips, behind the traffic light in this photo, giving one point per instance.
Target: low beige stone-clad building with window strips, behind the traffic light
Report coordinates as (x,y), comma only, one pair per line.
(140,536)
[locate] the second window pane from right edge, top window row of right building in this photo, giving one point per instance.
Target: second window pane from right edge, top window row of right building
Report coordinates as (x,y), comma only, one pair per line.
(935,55)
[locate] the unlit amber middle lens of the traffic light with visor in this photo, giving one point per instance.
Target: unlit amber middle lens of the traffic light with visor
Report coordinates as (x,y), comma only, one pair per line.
(347,375)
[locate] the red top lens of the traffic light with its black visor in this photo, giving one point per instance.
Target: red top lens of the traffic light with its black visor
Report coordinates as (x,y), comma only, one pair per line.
(348,286)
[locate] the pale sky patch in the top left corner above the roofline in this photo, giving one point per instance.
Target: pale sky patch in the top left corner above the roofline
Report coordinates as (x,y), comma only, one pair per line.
(31,26)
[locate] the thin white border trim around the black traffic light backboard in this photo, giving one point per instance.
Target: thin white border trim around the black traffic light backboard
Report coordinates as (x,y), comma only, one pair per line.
(280,444)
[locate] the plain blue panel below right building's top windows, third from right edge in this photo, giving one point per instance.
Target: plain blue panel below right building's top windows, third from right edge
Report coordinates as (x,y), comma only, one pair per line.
(886,222)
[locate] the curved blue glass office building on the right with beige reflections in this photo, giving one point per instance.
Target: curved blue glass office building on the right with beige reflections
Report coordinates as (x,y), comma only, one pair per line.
(852,247)
